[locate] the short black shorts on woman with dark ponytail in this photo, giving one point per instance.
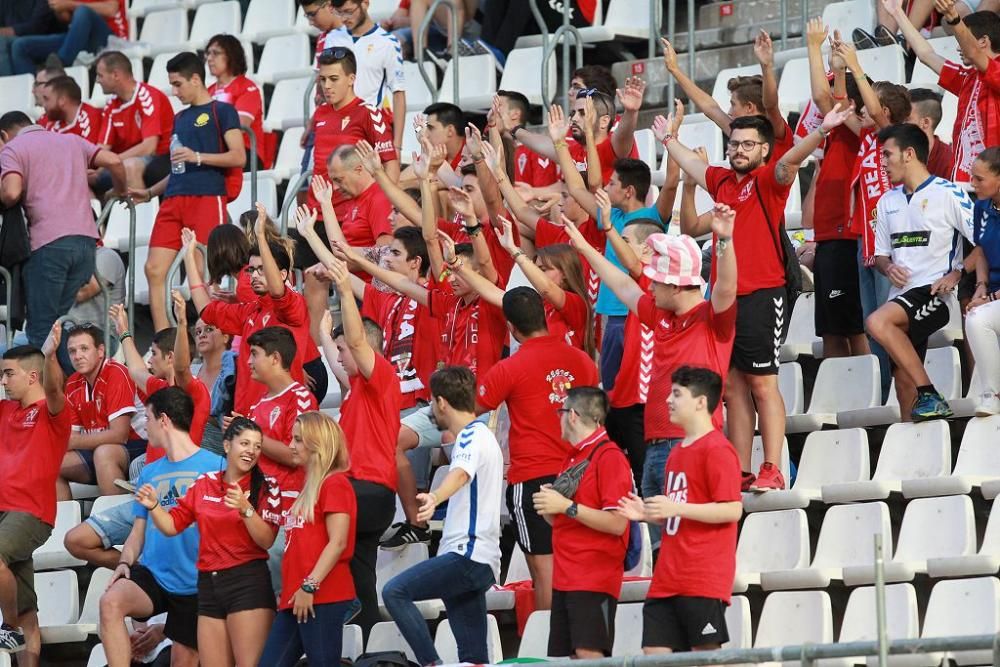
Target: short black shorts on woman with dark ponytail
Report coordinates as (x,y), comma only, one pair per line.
(246,586)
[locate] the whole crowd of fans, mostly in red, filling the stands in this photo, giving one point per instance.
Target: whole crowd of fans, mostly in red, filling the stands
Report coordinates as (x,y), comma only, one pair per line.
(257,518)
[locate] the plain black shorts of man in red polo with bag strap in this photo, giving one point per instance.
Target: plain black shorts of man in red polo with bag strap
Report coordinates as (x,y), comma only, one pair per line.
(581,620)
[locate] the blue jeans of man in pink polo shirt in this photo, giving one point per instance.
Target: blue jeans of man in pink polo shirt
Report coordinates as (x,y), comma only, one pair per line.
(52,276)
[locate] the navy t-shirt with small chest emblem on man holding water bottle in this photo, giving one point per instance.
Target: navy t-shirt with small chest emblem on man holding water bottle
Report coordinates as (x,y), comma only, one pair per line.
(202,128)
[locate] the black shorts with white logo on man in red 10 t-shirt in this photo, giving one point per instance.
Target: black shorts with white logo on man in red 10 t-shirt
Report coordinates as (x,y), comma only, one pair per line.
(683,623)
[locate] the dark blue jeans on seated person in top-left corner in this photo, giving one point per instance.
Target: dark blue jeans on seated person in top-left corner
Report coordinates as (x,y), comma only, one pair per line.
(87,31)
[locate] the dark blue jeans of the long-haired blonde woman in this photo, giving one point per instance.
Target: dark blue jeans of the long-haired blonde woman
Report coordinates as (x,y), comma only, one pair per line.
(320,638)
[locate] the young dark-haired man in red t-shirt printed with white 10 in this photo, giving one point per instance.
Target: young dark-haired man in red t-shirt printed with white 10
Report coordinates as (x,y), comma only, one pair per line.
(698,511)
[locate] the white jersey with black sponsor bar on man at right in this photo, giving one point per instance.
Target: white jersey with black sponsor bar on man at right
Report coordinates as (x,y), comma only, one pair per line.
(922,231)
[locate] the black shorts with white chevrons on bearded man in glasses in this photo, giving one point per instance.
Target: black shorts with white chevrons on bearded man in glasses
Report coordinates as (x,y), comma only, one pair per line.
(761,327)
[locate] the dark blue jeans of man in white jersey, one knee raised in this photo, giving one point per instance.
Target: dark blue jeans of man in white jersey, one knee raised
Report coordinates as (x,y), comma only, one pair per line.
(461,583)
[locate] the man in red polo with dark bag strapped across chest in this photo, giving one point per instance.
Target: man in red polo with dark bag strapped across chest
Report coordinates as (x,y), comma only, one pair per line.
(589,537)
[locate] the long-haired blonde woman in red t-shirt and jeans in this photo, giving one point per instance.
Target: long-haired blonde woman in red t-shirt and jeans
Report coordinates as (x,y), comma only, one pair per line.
(316,584)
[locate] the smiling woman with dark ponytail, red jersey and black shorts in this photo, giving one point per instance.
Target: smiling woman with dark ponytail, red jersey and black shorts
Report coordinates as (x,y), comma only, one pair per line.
(238,511)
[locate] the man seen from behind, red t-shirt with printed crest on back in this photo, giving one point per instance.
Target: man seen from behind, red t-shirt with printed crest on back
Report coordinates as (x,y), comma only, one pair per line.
(533,382)
